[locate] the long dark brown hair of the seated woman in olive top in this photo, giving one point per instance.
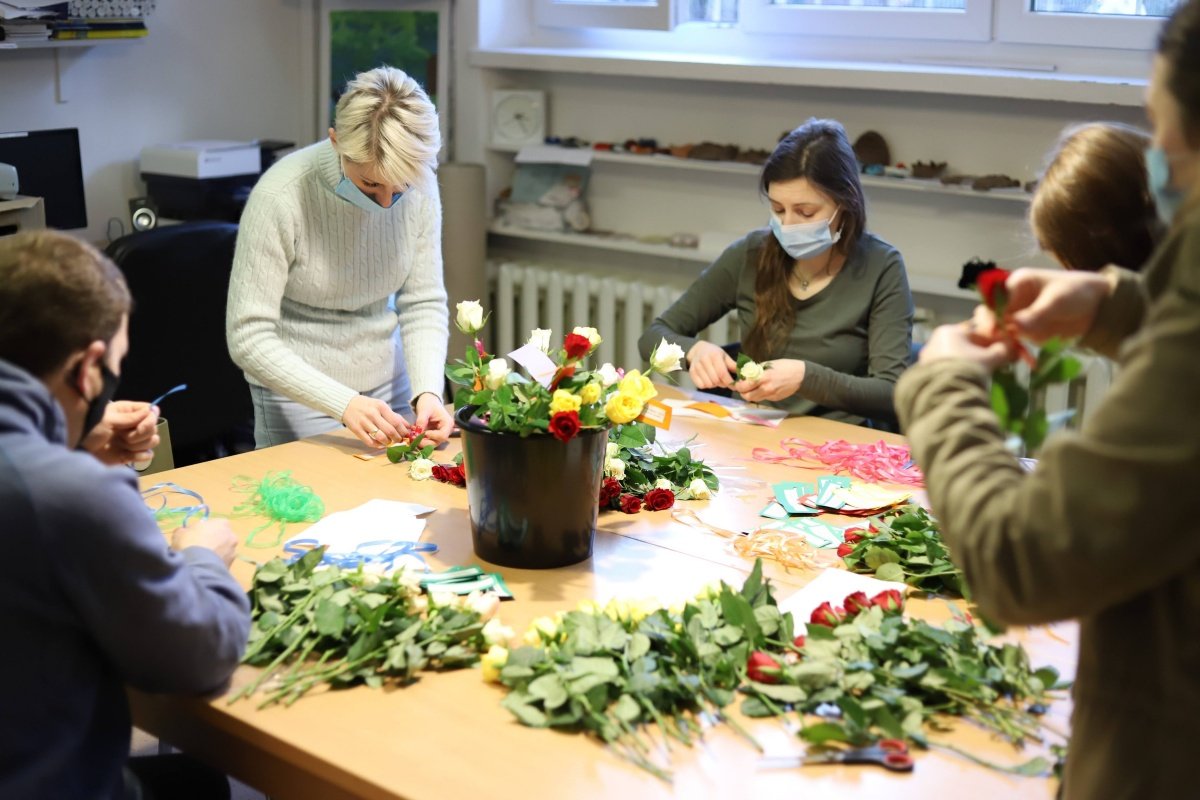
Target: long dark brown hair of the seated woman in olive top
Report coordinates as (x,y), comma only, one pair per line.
(820,153)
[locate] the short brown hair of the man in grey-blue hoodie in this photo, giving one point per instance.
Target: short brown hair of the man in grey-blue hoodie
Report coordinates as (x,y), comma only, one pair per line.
(58,294)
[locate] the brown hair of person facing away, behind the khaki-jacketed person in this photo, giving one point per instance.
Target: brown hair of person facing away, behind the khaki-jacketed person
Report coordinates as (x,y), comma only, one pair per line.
(1094,204)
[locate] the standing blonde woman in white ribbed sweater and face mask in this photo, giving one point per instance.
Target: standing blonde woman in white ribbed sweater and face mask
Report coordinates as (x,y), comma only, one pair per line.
(338,309)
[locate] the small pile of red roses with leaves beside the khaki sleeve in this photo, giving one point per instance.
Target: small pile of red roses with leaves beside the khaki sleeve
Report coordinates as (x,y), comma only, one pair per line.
(905,546)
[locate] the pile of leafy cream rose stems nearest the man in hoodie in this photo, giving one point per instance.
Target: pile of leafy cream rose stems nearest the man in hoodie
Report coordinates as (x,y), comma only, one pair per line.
(319,624)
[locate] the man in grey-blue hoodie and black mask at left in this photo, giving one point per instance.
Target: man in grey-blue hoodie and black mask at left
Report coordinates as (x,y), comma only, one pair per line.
(93,599)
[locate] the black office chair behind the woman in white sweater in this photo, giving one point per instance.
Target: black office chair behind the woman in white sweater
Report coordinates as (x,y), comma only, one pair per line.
(179,278)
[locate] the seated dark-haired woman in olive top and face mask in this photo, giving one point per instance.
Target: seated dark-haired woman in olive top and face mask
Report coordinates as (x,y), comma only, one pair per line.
(824,303)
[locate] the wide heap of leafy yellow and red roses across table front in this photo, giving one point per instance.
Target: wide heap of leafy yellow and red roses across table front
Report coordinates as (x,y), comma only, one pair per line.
(862,672)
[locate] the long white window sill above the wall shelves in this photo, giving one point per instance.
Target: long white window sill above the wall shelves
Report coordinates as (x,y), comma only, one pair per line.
(902,77)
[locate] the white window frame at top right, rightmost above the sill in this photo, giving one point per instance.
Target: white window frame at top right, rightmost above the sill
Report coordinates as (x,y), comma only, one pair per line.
(1018,23)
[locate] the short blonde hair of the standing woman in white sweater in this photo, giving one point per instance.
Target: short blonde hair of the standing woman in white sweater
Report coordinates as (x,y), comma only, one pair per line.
(386,121)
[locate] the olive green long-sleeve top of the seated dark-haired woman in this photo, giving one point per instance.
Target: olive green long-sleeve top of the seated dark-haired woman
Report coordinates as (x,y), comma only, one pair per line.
(854,336)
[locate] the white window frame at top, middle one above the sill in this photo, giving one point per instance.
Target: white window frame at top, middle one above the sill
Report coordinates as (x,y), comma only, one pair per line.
(973,25)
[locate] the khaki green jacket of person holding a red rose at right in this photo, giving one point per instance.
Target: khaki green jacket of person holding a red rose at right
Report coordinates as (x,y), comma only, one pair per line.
(1106,528)
